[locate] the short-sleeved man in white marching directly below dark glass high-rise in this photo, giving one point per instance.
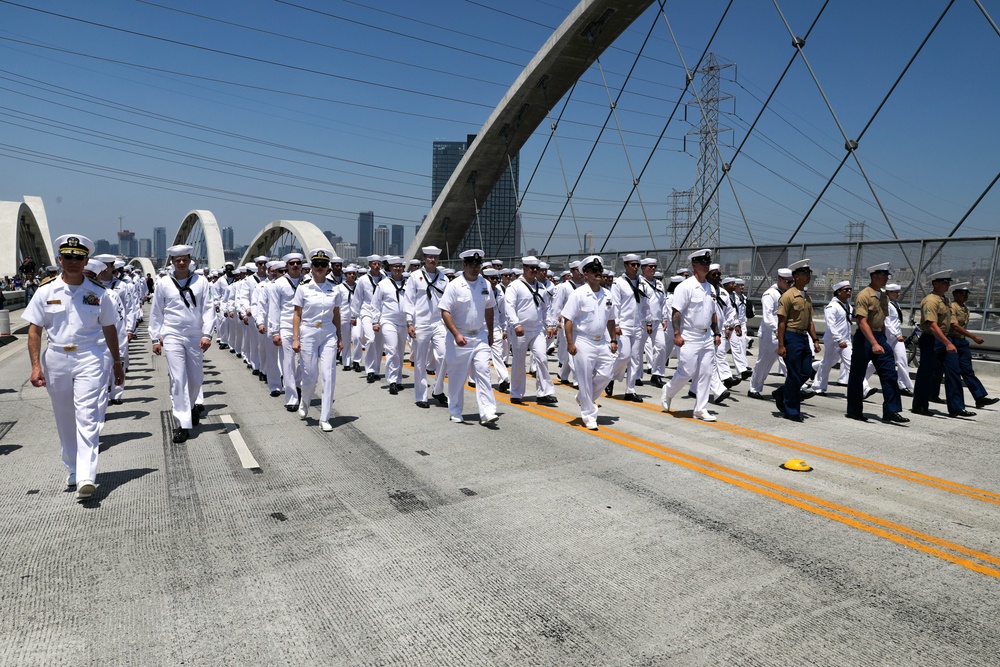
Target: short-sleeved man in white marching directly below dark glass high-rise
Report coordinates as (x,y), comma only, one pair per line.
(467,310)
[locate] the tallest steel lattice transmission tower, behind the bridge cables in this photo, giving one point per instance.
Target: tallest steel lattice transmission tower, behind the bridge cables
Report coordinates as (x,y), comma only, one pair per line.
(706,199)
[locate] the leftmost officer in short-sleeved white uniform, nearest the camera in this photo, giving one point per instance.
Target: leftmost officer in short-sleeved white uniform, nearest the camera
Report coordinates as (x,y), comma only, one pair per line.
(79,319)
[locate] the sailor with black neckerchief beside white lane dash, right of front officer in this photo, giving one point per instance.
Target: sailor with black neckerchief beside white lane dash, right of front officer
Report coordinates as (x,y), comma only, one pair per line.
(181,320)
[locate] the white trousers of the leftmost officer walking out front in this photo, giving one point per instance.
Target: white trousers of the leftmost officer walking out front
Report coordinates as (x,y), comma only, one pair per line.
(77,385)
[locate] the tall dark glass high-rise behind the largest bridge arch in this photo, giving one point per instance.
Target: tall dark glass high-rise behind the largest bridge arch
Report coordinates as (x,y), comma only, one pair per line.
(498,228)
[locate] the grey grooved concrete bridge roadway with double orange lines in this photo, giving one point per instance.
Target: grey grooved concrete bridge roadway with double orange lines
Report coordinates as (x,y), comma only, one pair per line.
(403,539)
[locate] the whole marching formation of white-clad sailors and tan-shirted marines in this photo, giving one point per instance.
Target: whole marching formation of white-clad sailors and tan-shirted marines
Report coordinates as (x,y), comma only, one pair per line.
(294,321)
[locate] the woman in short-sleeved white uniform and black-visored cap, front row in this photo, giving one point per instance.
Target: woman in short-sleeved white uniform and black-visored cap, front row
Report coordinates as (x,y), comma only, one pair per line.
(316,334)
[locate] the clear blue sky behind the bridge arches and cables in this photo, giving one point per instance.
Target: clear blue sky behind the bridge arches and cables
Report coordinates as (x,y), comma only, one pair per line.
(342,117)
